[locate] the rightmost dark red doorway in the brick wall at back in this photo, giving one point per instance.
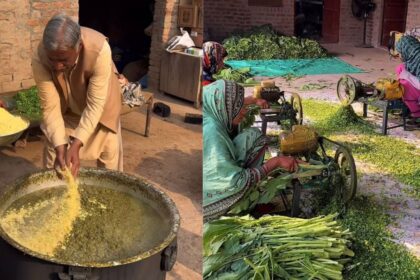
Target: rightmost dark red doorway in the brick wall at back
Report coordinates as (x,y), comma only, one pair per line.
(394,18)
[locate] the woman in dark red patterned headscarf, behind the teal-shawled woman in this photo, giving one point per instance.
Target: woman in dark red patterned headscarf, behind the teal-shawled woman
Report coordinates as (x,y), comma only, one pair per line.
(214,53)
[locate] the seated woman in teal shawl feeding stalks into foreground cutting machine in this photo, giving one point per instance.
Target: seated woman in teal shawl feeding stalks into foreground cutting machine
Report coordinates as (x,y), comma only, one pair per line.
(232,163)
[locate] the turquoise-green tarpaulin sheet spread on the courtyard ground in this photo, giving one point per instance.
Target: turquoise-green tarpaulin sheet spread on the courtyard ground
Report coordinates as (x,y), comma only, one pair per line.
(297,67)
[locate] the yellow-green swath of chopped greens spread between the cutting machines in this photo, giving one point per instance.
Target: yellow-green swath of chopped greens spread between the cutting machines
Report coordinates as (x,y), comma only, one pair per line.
(388,154)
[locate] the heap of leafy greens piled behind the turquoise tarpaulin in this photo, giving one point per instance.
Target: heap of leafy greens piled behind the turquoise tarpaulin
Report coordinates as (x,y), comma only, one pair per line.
(265,43)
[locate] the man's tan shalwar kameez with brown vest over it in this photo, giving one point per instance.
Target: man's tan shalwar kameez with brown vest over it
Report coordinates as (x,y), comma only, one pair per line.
(83,102)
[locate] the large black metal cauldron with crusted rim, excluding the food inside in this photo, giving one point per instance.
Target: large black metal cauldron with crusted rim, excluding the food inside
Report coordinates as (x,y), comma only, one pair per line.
(20,263)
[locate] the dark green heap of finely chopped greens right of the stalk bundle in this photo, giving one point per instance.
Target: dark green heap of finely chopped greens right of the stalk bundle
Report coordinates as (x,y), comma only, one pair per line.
(376,255)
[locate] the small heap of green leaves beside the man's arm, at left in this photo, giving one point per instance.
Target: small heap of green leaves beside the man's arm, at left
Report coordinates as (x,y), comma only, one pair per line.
(28,104)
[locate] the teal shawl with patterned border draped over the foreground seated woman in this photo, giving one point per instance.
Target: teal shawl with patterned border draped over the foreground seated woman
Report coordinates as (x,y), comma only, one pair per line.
(224,179)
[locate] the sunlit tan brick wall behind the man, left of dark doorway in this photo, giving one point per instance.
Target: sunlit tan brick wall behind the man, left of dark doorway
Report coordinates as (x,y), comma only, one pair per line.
(21,25)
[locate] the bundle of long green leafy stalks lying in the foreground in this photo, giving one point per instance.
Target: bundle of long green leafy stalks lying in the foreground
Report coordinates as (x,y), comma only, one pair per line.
(275,247)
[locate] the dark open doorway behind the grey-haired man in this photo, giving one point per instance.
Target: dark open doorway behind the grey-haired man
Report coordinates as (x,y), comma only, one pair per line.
(124,22)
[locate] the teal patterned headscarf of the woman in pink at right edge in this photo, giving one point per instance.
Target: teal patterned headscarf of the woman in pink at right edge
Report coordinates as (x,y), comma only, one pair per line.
(409,48)
